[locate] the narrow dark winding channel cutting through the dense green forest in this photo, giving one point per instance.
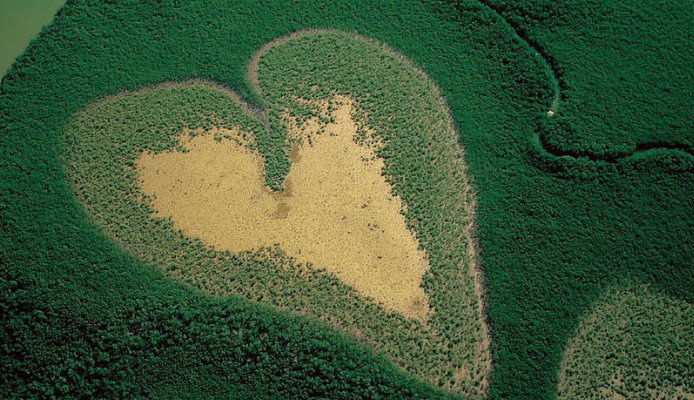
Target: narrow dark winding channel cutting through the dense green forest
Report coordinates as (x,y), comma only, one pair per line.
(641,150)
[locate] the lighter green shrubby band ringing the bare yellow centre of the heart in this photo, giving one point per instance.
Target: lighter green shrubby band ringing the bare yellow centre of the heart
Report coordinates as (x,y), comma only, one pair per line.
(422,161)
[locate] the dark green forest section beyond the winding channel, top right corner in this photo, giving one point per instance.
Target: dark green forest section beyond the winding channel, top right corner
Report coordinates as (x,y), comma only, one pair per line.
(630,91)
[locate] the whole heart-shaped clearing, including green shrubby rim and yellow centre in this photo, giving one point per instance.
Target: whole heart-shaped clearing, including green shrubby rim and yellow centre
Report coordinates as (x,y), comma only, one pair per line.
(406,171)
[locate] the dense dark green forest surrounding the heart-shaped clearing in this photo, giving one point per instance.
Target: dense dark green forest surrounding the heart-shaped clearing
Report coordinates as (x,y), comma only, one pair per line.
(566,209)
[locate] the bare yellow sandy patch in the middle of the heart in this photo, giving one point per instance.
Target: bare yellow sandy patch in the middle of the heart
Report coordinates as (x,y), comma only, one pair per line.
(337,211)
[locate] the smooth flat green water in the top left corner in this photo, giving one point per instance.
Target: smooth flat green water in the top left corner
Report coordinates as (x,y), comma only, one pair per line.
(21,21)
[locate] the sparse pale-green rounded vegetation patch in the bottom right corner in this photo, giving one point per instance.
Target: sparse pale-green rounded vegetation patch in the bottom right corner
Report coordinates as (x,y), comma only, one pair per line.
(636,344)
